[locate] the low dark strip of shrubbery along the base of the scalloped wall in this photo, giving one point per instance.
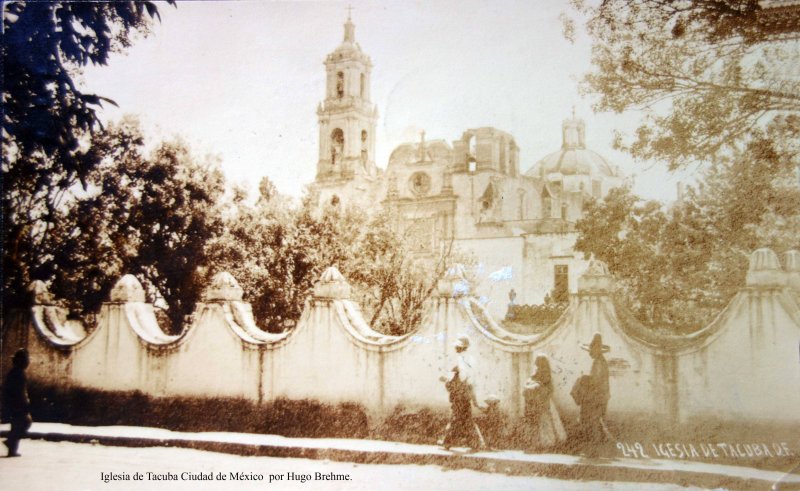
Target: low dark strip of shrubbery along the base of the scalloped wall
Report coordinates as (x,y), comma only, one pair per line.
(310,419)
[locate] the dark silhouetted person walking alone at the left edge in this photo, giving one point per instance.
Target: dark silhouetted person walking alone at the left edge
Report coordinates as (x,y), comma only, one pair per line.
(16,404)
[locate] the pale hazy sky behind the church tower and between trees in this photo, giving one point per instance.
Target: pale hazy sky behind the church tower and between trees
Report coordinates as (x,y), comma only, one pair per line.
(242,80)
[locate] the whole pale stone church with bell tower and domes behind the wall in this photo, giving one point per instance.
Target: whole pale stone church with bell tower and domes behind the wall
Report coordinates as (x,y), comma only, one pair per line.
(519,226)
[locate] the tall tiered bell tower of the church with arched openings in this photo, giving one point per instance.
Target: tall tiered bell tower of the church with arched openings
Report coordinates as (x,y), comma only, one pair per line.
(347,117)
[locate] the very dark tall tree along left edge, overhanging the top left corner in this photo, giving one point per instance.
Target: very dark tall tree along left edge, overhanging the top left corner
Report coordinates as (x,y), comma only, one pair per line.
(47,119)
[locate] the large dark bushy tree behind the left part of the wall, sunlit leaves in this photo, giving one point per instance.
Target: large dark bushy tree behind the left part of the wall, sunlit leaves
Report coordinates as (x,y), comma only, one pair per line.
(149,216)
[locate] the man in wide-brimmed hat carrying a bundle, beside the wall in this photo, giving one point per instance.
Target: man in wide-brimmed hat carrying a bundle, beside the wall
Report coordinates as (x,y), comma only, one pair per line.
(592,393)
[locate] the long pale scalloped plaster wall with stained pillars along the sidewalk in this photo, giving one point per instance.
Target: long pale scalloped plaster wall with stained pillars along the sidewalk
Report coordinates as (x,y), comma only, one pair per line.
(742,367)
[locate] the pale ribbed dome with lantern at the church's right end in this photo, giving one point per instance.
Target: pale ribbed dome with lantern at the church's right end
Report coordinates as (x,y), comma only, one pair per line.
(573,158)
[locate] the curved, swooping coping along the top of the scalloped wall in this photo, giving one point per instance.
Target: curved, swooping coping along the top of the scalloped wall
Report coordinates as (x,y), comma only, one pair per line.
(50,322)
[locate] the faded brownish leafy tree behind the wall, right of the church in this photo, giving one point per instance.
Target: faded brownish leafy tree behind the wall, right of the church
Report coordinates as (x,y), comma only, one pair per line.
(678,266)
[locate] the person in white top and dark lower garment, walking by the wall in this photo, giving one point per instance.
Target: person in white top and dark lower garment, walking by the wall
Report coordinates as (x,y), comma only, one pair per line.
(462,428)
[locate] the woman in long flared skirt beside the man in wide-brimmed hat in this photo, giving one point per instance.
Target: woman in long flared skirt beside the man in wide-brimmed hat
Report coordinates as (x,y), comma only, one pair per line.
(542,428)
